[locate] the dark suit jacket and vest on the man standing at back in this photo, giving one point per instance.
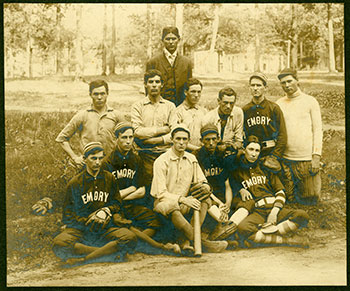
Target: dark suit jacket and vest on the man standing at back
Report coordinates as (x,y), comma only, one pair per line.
(174,77)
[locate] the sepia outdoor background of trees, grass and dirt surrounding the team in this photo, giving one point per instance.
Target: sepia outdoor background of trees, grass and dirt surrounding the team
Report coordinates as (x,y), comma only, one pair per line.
(51,52)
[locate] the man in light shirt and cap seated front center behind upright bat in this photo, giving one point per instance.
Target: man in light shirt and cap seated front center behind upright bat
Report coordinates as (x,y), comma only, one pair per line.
(174,172)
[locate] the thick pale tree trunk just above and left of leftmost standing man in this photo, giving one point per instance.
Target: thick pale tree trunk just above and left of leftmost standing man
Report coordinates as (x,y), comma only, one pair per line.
(79,66)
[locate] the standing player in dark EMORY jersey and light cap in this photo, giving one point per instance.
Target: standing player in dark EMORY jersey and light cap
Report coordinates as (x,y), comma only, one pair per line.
(264,119)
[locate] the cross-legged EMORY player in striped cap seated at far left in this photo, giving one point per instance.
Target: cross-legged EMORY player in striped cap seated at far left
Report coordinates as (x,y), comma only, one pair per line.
(91,214)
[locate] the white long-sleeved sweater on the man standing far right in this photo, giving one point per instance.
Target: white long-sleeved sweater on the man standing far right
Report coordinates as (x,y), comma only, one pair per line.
(302,116)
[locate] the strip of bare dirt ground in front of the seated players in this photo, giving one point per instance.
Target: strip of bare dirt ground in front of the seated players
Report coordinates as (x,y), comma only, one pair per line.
(321,264)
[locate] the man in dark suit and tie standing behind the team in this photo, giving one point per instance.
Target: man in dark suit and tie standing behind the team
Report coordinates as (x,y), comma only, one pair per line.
(176,69)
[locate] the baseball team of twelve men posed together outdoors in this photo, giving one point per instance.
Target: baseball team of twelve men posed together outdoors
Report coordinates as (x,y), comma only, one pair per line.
(144,179)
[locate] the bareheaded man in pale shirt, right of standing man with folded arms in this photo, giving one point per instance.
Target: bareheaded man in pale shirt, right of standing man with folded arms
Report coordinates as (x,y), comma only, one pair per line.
(190,113)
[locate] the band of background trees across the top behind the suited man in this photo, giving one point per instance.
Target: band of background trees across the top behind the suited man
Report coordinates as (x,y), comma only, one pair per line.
(47,39)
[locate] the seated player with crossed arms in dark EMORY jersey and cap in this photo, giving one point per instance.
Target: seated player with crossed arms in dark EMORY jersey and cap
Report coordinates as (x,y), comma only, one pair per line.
(127,168)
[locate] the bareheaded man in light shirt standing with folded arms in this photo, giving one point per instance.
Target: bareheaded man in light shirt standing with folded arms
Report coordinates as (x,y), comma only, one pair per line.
(152,118)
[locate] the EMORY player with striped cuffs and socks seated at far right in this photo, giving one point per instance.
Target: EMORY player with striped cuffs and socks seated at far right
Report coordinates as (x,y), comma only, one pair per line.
(267,191)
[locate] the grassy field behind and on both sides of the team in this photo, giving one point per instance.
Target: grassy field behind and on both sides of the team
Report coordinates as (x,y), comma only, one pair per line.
(36,166)
